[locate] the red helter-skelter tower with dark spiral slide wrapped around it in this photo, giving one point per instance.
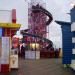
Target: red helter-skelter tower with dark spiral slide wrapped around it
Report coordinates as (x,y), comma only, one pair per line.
(38,20)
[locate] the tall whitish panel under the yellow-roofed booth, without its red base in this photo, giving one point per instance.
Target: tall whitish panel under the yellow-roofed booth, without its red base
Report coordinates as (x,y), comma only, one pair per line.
(5,50)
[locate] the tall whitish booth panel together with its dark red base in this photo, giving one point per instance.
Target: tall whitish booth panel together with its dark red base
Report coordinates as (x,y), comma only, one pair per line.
(4,54)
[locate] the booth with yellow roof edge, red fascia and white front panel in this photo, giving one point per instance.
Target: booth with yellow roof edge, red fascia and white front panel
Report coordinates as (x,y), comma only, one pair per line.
(8,30)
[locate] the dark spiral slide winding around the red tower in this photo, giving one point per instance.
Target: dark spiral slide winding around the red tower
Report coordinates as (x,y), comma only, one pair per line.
(35,10)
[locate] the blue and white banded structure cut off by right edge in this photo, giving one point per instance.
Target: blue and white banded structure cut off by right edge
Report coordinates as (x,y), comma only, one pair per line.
(73,37)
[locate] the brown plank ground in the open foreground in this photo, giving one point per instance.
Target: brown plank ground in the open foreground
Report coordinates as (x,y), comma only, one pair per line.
(41,67)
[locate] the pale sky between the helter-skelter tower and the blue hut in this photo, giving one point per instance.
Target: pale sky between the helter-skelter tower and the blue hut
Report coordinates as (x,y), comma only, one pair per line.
(59,10)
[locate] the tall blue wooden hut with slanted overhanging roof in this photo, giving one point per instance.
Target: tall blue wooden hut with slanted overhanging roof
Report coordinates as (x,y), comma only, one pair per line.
(67,41)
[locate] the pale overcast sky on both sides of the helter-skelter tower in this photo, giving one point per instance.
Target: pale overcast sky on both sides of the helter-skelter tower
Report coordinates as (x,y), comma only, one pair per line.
(58,9)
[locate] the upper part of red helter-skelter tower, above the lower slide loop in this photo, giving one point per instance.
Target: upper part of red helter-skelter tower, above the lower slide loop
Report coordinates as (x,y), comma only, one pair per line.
(37,19)
